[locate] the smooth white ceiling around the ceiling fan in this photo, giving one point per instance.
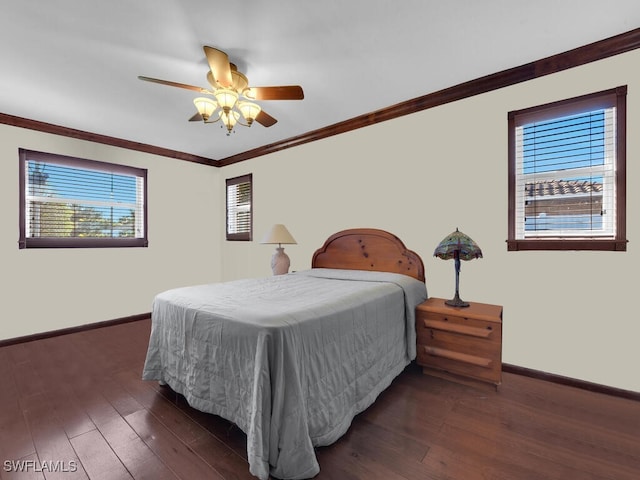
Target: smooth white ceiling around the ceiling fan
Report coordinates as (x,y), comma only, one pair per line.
(75,63)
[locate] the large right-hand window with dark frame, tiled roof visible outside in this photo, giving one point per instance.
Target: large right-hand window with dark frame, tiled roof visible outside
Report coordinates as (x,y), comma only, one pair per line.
(567,174)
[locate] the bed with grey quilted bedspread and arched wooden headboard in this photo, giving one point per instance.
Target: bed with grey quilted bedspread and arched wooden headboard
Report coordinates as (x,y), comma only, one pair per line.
(291,359)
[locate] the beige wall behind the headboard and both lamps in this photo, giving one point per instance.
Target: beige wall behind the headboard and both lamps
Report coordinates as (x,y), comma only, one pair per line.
(423,175)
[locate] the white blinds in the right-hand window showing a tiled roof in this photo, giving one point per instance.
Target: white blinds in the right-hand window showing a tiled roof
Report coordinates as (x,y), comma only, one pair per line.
(565,176)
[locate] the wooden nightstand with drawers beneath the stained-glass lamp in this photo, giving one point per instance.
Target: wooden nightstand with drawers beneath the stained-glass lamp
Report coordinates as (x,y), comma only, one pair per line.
(460,344)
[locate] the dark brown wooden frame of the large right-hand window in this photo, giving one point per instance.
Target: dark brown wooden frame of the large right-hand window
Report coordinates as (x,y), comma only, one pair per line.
(613,97)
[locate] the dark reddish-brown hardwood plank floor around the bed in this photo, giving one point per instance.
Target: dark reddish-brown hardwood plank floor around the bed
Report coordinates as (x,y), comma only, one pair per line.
(74,406)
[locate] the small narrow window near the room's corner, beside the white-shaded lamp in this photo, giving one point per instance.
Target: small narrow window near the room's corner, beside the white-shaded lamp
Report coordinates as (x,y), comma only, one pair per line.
(239,211)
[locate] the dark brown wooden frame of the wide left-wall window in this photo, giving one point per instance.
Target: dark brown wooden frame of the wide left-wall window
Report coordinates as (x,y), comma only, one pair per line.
(77,242)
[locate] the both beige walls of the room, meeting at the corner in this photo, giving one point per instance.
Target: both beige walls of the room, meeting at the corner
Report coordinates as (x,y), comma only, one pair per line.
(420,176)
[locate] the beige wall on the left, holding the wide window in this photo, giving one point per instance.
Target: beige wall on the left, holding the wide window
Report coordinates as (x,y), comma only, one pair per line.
(50,289)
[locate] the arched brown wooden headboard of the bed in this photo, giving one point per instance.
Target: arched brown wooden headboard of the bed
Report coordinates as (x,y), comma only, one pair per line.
(368,249)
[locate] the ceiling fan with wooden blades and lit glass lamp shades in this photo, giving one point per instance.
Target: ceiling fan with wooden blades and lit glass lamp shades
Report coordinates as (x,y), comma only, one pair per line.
(234,98)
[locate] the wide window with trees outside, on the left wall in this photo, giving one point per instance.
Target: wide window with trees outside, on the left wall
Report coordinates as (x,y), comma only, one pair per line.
(72,202)
